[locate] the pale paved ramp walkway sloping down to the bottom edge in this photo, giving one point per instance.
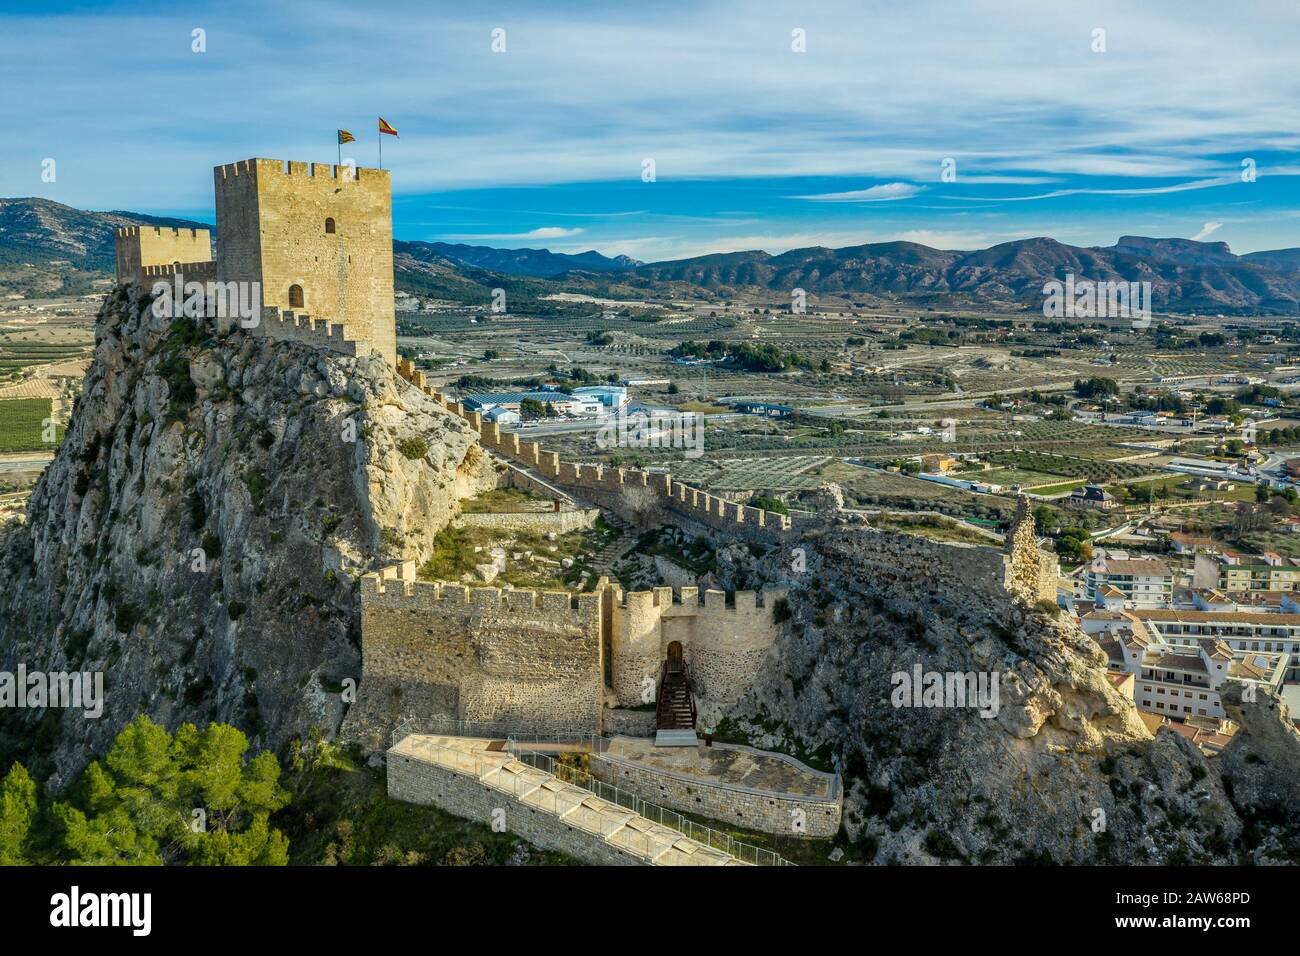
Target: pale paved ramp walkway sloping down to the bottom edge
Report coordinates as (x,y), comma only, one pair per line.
(487,762)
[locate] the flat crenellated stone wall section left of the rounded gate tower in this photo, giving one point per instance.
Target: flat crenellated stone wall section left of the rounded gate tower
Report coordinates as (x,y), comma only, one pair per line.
(527,659)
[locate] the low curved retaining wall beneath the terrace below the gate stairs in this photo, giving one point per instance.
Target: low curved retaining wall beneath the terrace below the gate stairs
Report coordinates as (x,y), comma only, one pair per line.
(773,814)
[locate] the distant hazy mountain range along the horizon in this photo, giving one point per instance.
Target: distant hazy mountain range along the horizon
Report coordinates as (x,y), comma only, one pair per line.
(42,240)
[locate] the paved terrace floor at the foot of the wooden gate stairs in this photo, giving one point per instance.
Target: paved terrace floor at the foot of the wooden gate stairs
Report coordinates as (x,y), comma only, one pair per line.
(730,765)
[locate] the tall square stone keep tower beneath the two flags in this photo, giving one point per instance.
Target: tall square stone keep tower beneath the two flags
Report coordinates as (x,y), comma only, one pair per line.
(319,240)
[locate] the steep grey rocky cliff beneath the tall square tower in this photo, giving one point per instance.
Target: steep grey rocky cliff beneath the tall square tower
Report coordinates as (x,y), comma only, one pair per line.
(201,531)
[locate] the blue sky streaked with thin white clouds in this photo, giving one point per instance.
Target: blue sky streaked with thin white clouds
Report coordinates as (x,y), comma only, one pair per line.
(756,146)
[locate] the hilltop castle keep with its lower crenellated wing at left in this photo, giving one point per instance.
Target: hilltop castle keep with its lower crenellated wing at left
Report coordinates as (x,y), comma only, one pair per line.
(314,240)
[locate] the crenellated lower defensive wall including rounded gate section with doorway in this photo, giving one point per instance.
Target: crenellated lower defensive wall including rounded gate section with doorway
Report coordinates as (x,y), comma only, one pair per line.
(545,661)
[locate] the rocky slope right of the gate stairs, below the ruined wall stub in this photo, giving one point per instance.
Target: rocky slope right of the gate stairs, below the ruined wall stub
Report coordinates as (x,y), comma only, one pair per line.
(1064,772)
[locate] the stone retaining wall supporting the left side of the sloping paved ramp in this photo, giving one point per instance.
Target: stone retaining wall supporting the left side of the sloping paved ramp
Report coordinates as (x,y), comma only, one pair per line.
(418,782)
